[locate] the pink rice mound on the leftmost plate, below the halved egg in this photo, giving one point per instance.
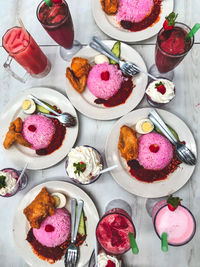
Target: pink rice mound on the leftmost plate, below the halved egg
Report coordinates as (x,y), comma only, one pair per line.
(43,134)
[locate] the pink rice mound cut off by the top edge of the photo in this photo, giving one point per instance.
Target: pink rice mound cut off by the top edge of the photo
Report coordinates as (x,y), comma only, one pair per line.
(134,10)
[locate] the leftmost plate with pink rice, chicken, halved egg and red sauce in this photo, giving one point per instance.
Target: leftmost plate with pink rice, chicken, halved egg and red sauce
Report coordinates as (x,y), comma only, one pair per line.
(29,136)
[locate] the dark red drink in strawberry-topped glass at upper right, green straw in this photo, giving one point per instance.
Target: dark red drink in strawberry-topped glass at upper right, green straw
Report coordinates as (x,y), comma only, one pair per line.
(171,47)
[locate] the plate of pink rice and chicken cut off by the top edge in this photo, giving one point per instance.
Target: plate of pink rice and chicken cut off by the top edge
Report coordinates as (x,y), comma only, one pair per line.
(131,20)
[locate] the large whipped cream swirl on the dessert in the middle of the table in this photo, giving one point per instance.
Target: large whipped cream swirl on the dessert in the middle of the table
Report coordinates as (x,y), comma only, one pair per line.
(85,155)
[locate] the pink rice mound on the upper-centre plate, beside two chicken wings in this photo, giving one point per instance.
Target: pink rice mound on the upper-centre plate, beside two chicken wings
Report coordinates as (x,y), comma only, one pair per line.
(101,88)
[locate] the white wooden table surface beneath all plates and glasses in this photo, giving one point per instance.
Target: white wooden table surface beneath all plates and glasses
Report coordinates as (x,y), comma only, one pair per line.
(187,77)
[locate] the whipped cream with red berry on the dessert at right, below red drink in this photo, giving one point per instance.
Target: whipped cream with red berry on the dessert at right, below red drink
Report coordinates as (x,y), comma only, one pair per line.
(156,96)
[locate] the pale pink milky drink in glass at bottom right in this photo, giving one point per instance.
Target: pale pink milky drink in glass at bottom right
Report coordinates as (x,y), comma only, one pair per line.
(179,225)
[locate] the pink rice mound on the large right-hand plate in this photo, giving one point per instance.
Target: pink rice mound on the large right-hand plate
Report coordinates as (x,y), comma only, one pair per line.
(151,160)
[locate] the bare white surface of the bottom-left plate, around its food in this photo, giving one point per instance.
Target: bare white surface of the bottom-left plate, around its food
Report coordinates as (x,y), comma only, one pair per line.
(21,225)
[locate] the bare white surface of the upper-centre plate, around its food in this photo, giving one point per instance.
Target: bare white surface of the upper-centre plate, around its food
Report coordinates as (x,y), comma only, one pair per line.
(85,102)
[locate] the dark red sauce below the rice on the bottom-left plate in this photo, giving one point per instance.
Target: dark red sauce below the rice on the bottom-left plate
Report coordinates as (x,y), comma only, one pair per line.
(51,254)
